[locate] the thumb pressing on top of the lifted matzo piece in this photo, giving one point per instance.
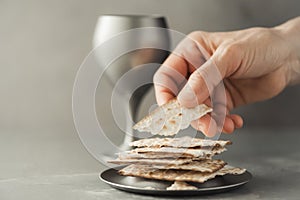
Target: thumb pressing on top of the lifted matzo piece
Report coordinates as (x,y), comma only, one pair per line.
(202,81)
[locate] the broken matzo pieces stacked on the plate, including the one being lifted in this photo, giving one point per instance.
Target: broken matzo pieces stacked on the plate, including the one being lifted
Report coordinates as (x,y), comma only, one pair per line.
(174,159)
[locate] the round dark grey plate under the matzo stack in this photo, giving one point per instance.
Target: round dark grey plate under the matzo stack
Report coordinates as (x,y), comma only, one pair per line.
(157,187)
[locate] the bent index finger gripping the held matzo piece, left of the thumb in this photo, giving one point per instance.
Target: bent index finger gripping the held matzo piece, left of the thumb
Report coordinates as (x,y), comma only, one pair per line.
(173,74)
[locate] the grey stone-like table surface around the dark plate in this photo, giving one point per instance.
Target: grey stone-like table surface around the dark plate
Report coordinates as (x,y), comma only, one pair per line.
(35,167)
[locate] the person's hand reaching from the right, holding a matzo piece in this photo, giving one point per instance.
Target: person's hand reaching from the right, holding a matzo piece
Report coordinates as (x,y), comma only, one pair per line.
(255,64)
